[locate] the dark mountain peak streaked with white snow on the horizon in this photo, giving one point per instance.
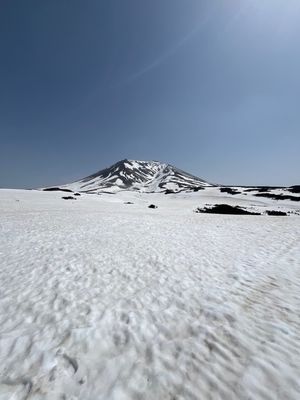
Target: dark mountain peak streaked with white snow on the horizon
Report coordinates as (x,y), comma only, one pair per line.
(143,176)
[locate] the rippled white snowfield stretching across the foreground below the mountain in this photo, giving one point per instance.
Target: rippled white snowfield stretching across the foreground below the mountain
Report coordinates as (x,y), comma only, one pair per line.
(104,300)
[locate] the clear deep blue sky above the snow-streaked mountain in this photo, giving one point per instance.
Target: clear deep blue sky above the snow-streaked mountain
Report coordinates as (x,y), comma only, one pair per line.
(210,86)
